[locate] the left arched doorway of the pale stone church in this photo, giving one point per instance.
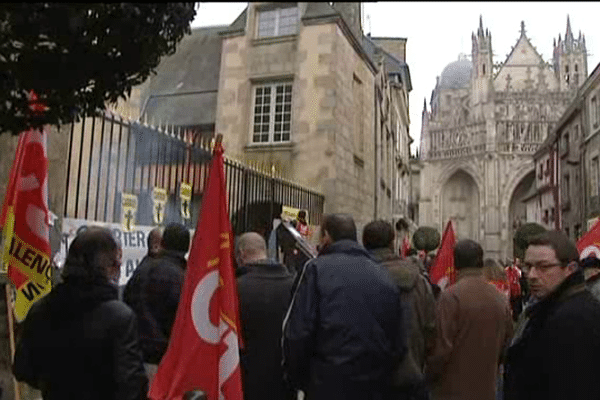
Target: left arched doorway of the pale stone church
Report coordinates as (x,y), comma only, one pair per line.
(460,202)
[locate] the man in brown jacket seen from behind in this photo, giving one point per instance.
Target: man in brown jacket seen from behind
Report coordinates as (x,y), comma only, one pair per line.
(474,326)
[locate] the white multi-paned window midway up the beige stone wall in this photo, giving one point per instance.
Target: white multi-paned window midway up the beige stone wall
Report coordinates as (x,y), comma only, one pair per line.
(272,114)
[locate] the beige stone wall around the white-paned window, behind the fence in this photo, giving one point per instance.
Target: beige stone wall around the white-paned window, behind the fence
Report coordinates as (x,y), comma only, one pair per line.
(331,147)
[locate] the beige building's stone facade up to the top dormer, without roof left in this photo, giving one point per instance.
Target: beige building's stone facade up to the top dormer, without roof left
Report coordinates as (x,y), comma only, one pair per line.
(349,120)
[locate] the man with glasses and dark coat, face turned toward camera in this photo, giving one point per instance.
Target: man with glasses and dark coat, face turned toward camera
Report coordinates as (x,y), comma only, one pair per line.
(555,352)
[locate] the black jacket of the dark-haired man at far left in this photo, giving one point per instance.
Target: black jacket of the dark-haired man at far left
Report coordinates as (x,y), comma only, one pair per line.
(80,342)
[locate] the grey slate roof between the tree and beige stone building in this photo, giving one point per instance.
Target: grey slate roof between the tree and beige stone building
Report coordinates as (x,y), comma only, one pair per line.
(184,90)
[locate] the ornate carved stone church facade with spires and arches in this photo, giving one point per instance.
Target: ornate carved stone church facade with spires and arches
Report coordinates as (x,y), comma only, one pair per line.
(485,122)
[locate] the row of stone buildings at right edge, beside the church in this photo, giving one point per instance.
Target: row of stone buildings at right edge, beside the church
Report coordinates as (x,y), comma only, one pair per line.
(565,195)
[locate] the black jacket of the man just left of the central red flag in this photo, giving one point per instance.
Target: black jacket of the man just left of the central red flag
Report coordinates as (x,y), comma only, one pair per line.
(153,292)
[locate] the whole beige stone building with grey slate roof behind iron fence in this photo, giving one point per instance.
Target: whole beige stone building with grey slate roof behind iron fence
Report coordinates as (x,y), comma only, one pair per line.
(298,89)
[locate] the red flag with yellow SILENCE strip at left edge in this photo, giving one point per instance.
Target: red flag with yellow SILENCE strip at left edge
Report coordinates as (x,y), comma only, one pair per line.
(26,222)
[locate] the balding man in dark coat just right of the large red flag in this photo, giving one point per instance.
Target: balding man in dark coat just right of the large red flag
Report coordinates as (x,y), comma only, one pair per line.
(264,292)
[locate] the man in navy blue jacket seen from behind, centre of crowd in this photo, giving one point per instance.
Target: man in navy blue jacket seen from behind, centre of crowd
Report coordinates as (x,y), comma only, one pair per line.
(344,333)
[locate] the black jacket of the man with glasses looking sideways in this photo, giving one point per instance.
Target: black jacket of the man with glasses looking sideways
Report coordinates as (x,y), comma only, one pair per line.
(557,354)
